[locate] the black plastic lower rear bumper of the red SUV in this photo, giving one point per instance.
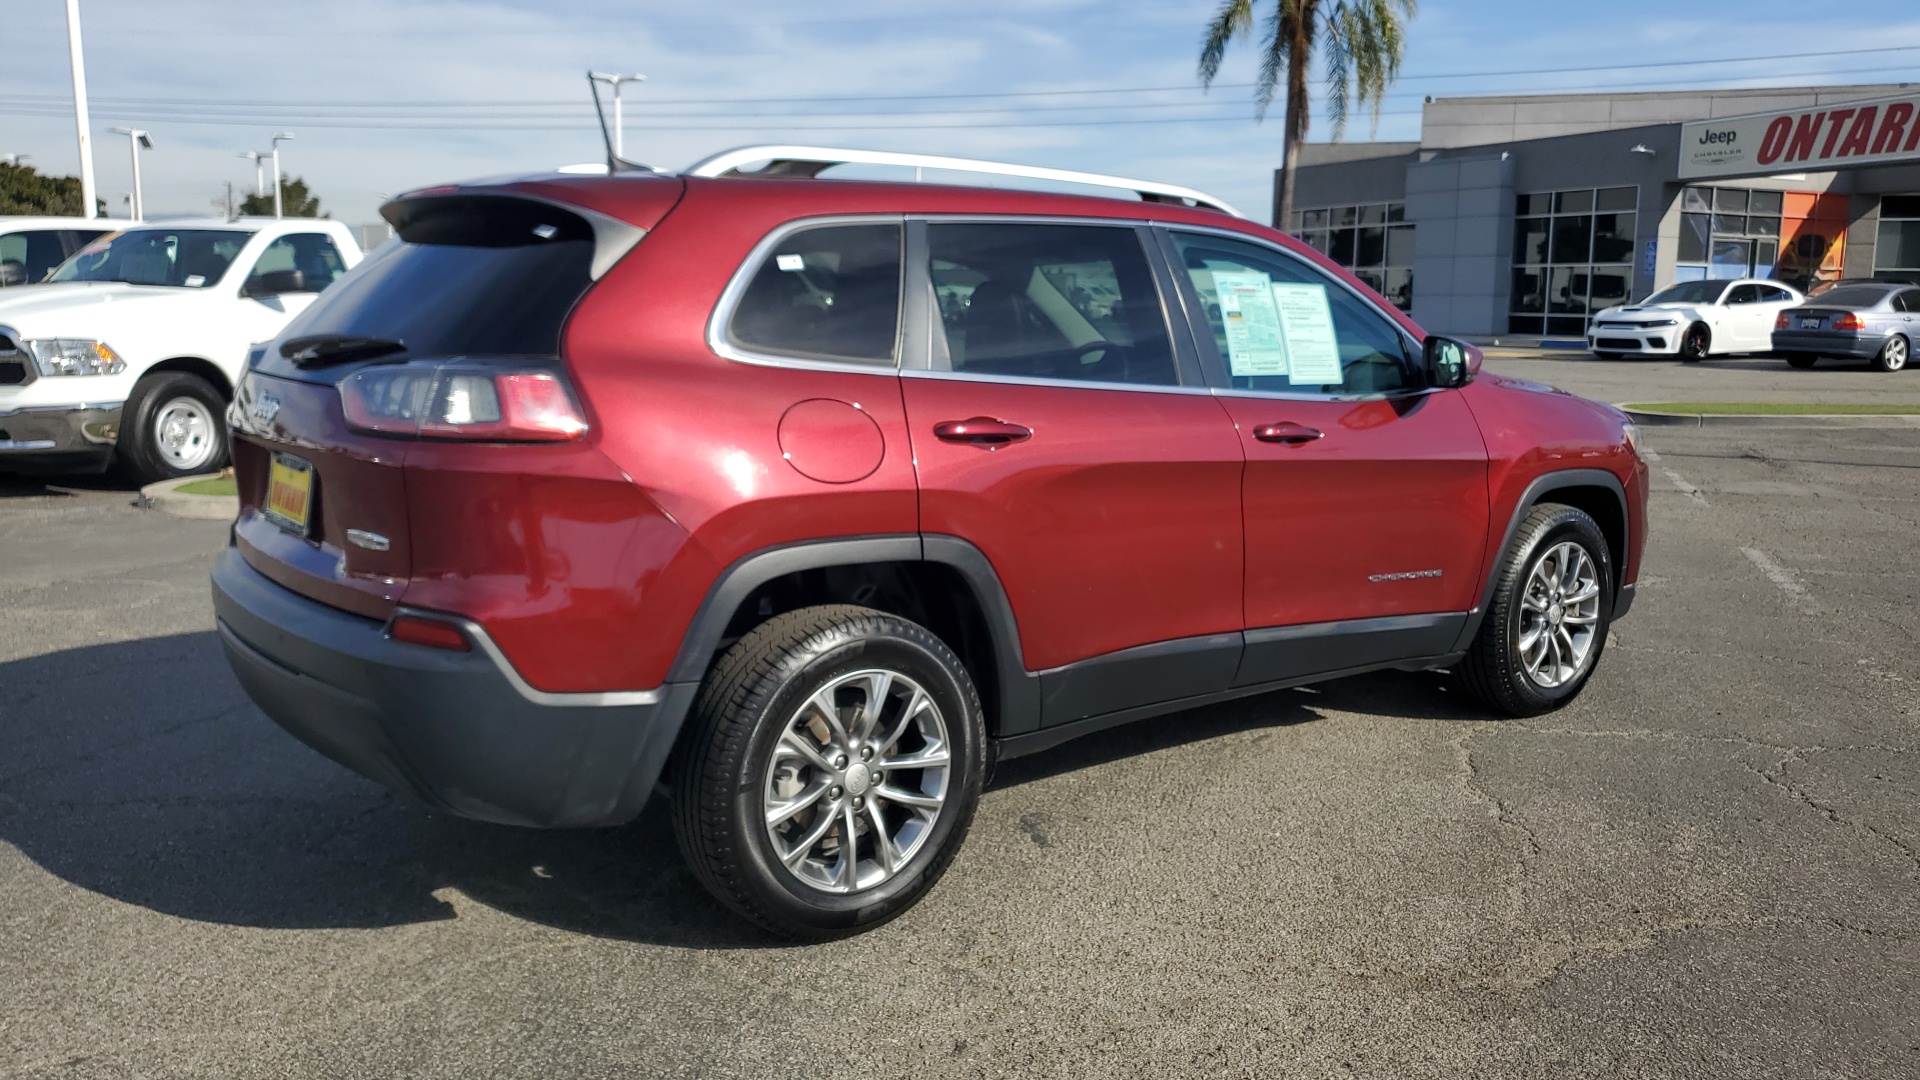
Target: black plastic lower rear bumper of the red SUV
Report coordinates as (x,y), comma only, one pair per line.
(450,729)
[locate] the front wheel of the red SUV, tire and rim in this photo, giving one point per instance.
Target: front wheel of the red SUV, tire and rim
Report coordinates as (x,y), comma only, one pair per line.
(1548,620)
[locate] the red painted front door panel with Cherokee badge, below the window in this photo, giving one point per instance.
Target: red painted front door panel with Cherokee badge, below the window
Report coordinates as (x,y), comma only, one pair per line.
(1385,514)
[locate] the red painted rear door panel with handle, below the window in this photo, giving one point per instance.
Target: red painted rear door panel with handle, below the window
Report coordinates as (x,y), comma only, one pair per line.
(1116,524)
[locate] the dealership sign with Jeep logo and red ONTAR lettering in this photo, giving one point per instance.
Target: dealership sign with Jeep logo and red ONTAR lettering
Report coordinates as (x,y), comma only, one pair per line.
(1821,137)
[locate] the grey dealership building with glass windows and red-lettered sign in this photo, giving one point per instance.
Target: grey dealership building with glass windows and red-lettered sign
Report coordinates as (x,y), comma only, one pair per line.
(1525,214)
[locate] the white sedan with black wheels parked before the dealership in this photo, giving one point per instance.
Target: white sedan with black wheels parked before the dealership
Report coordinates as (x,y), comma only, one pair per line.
(1694,320)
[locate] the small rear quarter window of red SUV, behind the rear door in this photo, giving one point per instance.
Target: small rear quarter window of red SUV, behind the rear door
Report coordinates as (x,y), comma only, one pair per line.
(827,293)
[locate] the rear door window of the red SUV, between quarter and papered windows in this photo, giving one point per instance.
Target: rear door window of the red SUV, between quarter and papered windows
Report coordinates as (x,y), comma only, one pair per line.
(1074,303)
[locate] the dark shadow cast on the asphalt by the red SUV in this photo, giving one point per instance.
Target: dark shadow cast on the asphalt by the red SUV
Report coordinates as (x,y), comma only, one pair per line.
(143,773)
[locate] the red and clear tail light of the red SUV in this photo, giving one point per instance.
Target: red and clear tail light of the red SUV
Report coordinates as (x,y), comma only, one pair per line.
(433,399)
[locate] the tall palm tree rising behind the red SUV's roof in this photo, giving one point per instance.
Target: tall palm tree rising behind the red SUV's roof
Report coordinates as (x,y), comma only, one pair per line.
(1362,43)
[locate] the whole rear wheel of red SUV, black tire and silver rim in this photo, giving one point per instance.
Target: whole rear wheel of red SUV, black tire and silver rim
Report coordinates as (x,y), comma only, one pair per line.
(830,772)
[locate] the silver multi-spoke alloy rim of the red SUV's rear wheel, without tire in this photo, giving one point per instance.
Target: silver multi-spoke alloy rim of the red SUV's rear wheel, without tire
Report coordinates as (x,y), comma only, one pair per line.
(857,781)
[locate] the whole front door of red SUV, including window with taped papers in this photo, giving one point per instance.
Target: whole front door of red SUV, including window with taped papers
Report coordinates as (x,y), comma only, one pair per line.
(1364,495)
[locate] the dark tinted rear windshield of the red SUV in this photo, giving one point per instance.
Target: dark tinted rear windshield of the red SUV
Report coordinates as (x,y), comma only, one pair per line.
(471,276)
